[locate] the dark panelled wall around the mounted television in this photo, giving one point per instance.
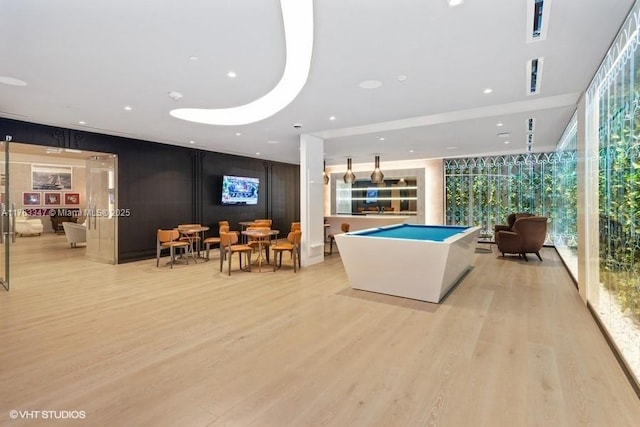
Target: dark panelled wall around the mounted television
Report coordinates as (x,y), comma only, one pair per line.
(165,185)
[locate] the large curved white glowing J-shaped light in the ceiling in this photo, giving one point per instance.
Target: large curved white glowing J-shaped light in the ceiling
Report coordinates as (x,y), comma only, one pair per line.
(297,20)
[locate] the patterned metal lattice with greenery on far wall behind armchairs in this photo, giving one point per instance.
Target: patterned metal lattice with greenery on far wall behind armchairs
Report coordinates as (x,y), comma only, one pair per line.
(482,191)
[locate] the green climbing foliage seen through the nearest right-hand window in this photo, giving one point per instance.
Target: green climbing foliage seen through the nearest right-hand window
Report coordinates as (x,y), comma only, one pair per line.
(619,186)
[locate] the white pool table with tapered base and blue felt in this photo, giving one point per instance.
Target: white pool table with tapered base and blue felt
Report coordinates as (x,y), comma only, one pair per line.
(421,262)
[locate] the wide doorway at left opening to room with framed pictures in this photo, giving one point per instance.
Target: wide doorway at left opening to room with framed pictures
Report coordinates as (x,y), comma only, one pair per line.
(77,184)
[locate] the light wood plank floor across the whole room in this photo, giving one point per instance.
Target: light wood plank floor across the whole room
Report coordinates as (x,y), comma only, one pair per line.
(137,345)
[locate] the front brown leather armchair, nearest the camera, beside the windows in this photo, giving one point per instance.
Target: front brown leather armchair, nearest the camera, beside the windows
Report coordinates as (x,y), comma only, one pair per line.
(527,235)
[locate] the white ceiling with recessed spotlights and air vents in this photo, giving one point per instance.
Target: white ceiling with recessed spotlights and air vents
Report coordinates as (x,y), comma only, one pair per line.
(87,60)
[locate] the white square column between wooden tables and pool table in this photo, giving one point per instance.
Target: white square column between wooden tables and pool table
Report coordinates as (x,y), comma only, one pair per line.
(311,199)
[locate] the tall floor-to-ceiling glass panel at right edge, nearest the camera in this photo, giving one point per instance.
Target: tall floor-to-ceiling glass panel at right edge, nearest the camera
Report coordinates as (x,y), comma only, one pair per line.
(613,143)
